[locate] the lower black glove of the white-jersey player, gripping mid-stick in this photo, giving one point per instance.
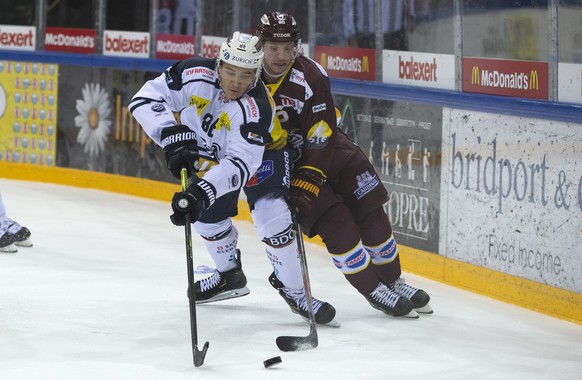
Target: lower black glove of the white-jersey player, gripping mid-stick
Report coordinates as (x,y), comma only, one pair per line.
(192,202)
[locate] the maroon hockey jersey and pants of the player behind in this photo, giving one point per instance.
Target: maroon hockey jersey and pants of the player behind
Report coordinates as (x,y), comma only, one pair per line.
(306,110)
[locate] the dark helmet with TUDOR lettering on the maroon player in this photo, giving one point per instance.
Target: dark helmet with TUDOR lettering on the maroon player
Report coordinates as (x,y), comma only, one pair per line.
(278,27)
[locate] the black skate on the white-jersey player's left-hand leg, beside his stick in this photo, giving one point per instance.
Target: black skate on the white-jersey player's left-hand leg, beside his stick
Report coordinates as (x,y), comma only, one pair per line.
(222,285)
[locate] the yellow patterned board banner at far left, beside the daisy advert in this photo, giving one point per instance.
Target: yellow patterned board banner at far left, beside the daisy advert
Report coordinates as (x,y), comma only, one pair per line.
(28,112)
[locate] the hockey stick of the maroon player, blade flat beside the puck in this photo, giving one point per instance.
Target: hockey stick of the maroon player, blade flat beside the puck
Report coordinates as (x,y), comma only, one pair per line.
(301,343)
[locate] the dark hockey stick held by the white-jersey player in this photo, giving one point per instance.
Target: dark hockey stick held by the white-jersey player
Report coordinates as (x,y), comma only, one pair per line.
(197,355)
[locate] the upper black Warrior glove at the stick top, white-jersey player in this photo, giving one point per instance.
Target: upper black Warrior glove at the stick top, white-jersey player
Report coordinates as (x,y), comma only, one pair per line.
(181,149)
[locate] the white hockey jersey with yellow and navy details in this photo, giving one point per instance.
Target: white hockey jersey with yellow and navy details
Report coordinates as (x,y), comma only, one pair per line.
(231,135)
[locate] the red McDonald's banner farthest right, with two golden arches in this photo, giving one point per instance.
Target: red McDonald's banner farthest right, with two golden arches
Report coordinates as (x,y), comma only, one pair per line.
(523,79)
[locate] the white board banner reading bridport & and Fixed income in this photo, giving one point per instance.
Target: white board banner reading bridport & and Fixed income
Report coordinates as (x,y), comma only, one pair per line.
(512,188)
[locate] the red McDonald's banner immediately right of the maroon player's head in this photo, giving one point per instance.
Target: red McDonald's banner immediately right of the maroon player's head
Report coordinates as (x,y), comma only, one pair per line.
(353,63)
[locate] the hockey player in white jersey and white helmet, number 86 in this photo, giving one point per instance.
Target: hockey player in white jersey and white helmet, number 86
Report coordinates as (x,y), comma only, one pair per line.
(228,139)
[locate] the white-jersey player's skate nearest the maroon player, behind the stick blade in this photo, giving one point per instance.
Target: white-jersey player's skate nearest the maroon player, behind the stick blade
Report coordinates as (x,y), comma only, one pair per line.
(297,301)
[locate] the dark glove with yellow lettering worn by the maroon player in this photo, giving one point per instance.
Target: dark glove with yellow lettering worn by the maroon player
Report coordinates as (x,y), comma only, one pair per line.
(305,187)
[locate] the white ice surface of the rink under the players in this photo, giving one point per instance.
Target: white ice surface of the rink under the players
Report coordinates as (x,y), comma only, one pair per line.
(102,295)
